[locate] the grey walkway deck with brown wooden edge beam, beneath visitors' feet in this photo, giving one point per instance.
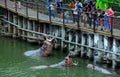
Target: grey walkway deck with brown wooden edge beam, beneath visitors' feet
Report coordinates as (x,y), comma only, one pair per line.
(32,15)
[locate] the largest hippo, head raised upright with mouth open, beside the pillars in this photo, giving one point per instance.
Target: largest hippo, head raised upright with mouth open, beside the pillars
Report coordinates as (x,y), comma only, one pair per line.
(45,50)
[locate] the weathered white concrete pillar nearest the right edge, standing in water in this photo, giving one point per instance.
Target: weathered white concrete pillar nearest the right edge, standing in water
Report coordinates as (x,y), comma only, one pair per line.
(113,55)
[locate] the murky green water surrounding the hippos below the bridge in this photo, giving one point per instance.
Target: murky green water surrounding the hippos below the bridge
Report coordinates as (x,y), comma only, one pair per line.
(14,64)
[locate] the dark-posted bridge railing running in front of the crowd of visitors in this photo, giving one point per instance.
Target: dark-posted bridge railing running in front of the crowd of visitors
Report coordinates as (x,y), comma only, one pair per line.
(67,17)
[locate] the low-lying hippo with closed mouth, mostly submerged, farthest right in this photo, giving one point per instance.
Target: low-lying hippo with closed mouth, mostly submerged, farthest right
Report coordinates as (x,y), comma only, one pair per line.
(100,69)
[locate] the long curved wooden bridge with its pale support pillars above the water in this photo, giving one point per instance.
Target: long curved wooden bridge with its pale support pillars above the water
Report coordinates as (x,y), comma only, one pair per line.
(32,21)
